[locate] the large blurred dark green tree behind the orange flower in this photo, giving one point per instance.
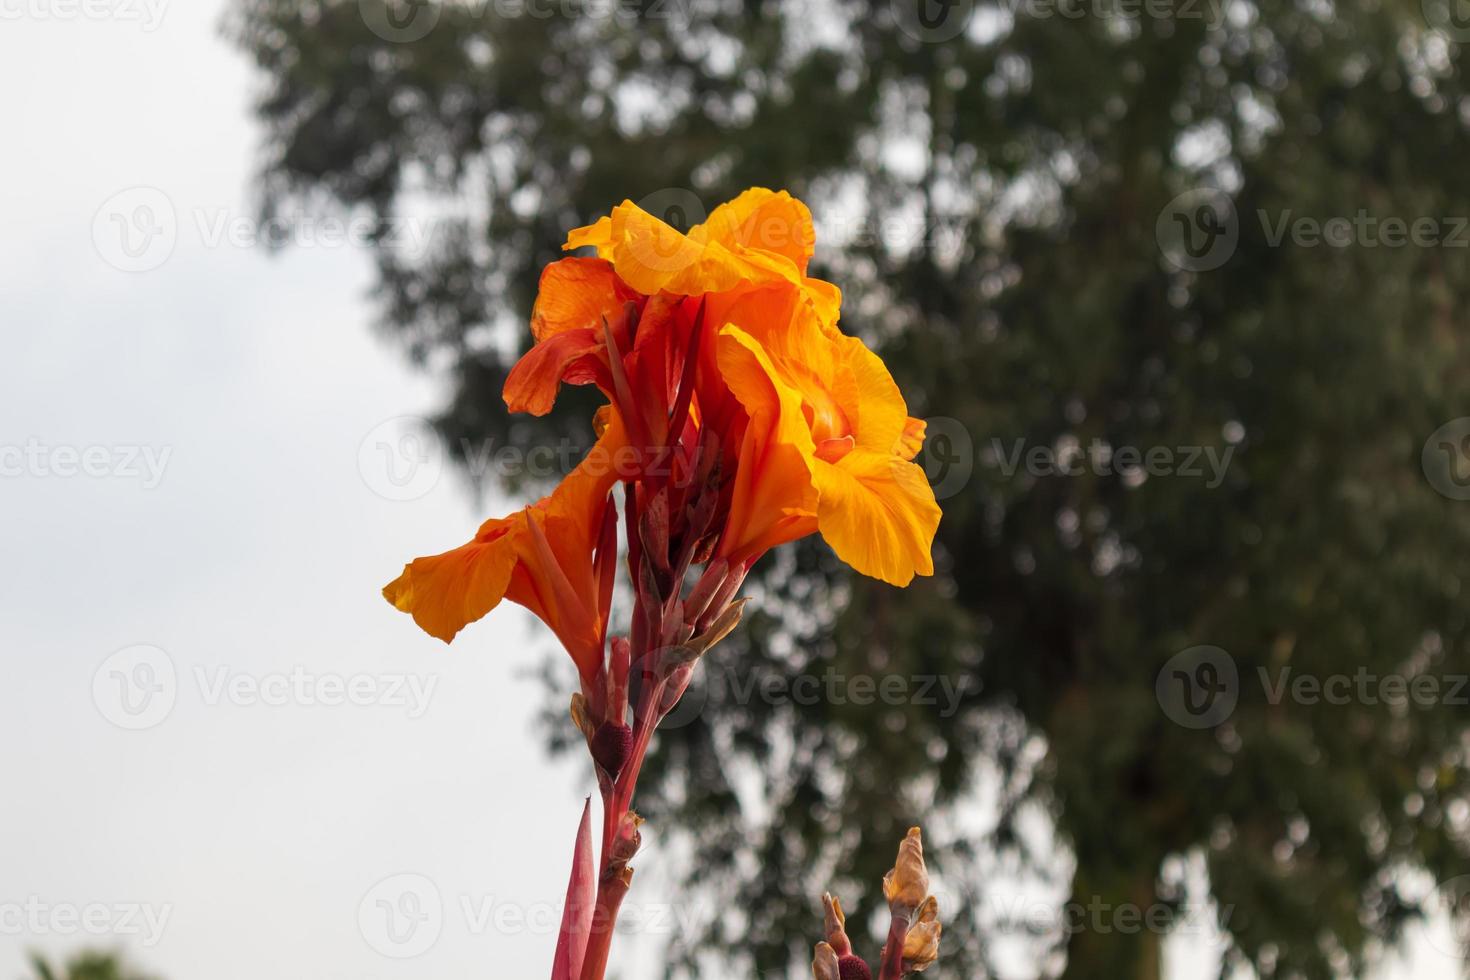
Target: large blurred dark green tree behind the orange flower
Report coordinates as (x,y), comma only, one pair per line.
(999,193)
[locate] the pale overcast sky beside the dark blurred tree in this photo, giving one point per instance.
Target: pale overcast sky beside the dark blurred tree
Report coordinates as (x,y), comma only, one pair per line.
(258,840)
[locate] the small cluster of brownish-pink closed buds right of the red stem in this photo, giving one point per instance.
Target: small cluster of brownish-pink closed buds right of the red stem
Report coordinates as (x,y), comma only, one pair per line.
(914,935)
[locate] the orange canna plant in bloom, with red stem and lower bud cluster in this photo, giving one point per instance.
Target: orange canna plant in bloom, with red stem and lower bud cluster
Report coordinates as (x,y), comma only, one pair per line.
(740,418)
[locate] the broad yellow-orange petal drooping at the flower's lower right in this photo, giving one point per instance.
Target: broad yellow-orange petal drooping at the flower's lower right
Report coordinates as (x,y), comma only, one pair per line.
(878,514)
